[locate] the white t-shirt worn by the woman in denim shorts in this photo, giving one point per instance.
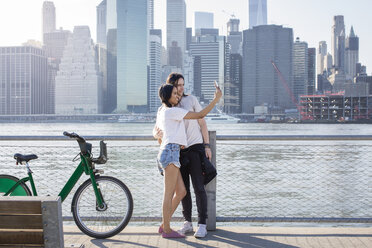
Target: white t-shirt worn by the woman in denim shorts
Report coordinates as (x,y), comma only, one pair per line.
(170,121)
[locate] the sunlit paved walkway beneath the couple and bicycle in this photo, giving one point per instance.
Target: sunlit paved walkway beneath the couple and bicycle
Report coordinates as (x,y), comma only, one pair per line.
(231,236)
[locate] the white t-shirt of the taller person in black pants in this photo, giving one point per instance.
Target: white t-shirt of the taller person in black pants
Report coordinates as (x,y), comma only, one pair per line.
(193,131)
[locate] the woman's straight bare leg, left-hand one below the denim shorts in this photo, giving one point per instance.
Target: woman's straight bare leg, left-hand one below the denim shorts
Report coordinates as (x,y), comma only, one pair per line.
(171,174)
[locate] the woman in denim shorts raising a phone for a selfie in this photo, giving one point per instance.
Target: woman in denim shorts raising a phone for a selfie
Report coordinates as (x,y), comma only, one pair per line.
(170,121)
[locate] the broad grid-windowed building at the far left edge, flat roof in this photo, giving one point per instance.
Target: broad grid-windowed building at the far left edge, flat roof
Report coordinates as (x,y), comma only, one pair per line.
(23,80)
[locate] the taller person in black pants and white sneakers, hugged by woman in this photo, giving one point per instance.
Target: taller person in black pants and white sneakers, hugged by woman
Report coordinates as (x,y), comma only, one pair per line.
(191,160)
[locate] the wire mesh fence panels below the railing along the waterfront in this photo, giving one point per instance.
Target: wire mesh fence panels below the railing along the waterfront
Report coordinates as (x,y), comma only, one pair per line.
(258,180)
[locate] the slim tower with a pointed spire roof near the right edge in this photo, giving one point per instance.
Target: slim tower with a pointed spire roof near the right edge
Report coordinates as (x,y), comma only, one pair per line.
(351,54)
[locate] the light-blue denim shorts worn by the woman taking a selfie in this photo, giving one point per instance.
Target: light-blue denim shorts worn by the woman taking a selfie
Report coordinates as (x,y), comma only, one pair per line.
(170,154)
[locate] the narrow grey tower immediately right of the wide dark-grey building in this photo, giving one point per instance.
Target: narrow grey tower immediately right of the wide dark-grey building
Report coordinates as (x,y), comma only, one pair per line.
(300,68)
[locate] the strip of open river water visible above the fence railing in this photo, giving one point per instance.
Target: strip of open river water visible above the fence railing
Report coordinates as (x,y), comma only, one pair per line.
(146,128)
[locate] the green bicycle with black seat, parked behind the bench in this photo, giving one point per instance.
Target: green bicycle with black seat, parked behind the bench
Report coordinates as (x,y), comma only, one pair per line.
(101,206)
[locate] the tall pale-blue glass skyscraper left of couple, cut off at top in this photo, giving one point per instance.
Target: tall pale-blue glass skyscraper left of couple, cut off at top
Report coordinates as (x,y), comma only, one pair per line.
(127,44)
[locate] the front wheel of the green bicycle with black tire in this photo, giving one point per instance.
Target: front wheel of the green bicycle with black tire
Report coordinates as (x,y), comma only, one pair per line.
(106,222)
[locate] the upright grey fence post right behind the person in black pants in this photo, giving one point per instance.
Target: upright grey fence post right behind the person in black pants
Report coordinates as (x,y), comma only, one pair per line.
(211,187)
